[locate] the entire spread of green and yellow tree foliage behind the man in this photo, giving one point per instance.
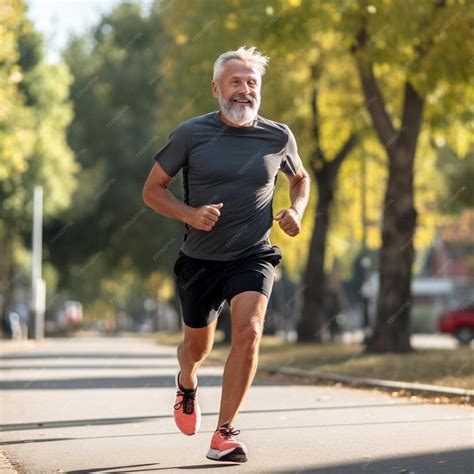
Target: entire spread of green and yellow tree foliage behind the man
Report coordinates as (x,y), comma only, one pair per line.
(135,77)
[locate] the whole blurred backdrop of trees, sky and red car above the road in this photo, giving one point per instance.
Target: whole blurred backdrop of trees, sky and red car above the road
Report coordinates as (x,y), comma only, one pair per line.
(379,95)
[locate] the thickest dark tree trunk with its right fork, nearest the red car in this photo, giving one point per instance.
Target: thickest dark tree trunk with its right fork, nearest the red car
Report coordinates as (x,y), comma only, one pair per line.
(392,325)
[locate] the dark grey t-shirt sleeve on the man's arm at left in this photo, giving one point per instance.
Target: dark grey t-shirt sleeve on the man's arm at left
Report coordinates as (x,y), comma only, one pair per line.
(175,153)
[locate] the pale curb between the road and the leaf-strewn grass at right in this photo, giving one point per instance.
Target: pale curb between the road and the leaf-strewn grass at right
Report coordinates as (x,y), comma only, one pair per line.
(367,382)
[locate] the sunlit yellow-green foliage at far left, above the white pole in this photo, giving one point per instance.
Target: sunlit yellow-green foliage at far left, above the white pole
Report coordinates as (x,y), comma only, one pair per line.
(39,115)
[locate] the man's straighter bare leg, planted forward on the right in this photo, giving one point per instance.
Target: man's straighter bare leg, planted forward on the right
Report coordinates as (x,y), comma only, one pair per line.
(248,314)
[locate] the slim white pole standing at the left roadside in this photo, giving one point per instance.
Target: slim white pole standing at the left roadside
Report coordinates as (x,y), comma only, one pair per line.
(37,283)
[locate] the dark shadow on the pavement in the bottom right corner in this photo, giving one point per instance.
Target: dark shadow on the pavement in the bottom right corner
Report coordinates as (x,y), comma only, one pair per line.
(440,462)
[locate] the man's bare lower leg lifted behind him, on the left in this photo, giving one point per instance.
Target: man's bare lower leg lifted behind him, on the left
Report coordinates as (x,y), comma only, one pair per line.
(192,351)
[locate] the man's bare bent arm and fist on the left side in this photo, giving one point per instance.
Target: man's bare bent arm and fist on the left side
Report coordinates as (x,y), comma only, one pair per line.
(157,196)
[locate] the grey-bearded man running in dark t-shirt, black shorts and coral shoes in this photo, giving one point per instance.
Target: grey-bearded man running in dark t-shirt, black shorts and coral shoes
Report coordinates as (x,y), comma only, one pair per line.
(230,159)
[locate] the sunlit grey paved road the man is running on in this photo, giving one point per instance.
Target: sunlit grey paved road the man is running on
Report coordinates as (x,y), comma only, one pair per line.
(105,405)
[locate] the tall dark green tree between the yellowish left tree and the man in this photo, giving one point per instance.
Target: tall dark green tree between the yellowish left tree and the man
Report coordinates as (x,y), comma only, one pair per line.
(114,136)
